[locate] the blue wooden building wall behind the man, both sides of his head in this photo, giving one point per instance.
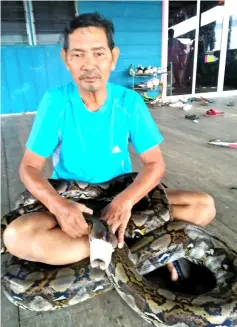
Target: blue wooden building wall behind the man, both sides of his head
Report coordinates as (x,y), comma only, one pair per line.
(28,71)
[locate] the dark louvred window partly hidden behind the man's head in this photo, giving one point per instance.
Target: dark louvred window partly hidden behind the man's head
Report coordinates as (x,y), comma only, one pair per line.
(50,18)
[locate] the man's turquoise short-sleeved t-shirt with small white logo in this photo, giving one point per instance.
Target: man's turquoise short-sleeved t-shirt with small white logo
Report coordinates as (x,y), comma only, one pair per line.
(92,146)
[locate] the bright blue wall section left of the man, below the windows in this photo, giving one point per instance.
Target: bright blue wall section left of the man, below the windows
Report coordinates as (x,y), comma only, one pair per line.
(27,72)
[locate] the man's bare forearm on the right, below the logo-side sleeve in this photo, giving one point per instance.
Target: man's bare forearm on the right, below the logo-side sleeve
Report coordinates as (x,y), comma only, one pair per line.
(146,180)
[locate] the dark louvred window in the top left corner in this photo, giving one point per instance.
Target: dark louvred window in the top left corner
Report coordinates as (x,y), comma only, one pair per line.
(14,28)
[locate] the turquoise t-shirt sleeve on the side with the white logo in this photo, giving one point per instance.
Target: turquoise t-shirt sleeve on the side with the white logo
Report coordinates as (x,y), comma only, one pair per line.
(144,133)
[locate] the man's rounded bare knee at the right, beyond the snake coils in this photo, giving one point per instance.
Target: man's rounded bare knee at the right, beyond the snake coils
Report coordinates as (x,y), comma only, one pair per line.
(206,209)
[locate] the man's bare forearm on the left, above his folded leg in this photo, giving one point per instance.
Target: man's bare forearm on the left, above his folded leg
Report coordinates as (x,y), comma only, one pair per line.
(39,187)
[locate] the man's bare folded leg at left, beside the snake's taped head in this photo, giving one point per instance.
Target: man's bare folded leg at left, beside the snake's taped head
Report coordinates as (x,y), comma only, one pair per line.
(37,237)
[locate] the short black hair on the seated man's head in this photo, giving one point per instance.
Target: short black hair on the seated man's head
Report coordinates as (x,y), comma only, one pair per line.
(90,19)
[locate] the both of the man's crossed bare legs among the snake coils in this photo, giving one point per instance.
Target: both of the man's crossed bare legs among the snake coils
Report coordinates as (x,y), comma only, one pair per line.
(37,237)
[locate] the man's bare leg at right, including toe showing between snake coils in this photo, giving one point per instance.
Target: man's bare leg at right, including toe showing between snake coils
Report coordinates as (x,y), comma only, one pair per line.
(193,207)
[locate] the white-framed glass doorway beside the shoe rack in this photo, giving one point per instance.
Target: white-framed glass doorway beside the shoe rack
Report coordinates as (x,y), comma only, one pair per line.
(200,47)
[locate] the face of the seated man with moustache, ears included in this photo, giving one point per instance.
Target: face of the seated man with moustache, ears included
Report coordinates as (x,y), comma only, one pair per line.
(89,58)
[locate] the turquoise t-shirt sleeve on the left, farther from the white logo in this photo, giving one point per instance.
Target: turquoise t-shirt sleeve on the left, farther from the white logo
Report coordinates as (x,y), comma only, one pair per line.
(43,137)
